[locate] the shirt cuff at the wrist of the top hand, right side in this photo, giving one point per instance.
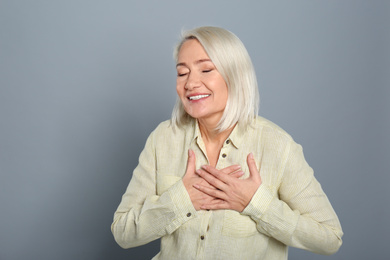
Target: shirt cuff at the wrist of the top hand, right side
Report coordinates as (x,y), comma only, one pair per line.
(259,202)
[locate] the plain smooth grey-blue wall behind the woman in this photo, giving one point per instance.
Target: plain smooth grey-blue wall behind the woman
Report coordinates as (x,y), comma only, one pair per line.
(83,83)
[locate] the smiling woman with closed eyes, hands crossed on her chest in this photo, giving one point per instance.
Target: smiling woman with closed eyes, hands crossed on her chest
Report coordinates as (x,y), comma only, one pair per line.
(218,181)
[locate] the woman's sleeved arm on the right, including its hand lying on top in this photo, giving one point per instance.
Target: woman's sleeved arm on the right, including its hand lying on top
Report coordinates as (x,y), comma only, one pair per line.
(301,216)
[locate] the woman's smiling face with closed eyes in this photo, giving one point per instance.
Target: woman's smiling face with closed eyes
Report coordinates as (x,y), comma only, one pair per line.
(201,88)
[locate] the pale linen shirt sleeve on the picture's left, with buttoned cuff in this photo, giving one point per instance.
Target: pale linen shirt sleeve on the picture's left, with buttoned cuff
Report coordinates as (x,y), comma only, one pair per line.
(143,216)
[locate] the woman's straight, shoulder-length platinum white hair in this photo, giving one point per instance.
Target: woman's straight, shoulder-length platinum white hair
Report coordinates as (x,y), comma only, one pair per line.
(232,61)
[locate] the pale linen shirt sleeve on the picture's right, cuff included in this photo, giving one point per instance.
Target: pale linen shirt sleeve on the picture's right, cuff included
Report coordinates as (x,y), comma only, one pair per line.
(300,215)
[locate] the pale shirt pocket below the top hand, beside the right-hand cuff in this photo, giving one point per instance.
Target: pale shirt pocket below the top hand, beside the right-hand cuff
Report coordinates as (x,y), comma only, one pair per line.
(237,225)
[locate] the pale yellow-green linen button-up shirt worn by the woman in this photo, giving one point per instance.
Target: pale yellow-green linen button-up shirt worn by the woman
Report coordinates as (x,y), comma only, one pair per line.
(288,209)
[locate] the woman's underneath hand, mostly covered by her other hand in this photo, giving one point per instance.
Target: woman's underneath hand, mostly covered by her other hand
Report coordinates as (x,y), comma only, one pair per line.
(191,179)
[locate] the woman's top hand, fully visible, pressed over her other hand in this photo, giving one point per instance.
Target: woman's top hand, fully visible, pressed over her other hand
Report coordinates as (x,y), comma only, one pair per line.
(233,193)
